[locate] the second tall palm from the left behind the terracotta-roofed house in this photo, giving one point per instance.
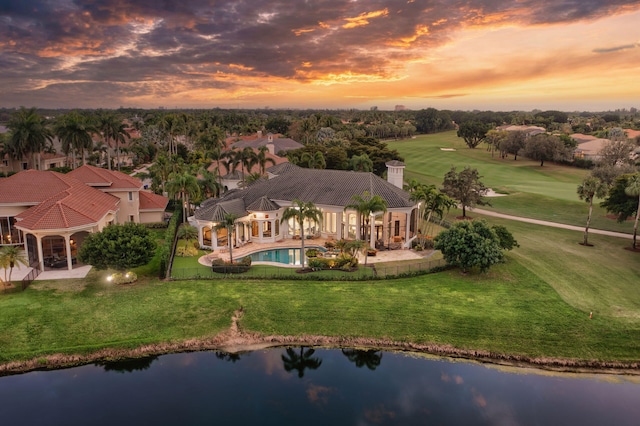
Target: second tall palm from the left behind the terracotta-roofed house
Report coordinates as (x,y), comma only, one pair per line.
(74,132)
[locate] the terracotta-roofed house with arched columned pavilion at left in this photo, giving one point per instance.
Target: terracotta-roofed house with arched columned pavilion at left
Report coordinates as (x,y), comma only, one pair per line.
(51,213)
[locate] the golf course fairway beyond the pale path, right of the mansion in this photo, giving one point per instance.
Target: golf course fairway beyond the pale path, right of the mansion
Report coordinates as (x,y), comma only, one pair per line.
(546,193)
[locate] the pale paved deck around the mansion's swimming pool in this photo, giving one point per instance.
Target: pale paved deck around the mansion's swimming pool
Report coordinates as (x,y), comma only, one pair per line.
(382,255)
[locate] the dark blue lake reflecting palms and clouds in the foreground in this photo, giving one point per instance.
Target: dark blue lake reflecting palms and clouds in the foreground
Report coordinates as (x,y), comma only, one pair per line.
(314,387)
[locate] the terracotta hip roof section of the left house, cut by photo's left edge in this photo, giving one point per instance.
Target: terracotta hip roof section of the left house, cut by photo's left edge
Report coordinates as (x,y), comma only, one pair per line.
(32,186)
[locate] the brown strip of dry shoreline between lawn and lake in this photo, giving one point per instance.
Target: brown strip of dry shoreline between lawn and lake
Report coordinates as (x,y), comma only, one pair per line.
(234,340)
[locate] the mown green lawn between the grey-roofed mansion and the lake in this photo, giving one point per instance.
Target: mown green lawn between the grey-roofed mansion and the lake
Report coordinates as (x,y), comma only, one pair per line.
(512,309)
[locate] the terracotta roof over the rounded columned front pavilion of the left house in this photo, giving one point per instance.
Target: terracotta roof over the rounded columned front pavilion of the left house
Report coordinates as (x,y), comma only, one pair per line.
(75,206)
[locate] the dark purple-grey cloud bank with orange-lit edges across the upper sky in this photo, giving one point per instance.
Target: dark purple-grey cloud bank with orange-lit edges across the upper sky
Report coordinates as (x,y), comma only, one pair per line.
(195,40)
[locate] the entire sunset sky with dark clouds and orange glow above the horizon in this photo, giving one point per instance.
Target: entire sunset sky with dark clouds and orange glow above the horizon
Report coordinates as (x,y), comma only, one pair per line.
(476,54)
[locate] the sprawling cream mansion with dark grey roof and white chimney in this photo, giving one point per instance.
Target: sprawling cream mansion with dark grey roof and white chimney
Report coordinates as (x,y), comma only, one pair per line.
(260,207)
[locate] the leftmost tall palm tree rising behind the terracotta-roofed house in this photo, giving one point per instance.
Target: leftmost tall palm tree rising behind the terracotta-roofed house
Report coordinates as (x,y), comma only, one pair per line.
(29,133)
